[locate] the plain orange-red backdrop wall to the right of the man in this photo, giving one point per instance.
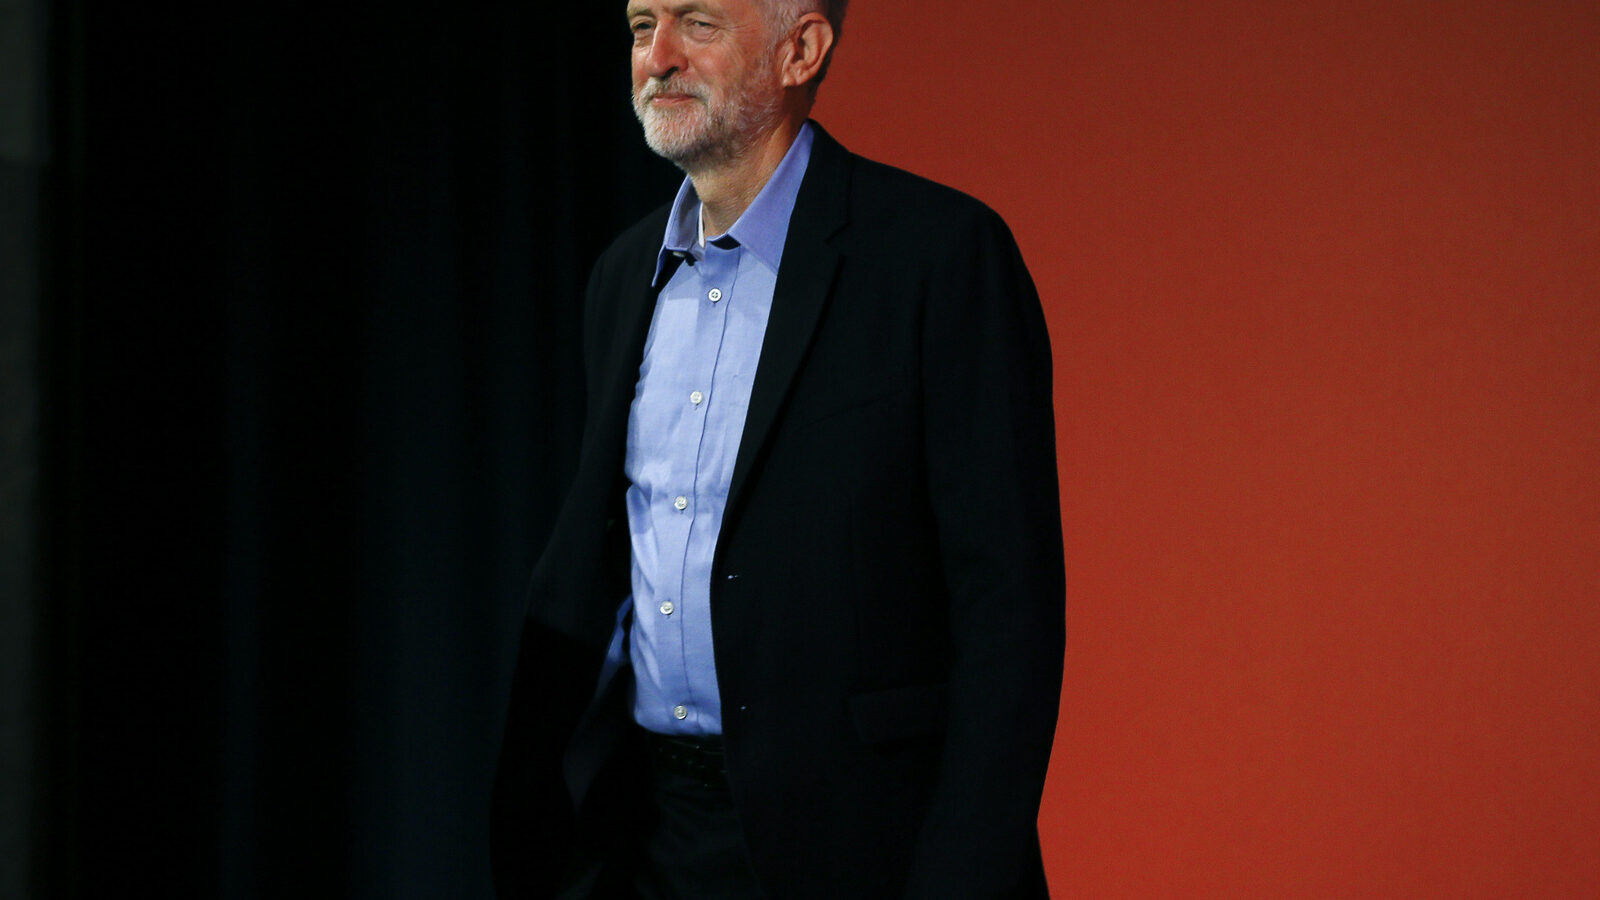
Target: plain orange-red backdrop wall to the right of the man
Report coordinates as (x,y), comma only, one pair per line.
(1324,286)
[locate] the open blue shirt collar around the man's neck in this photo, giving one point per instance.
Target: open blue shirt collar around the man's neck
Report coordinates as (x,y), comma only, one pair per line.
(762,230)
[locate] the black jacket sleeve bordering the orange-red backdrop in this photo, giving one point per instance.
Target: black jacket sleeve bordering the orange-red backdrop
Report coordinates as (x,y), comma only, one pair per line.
(993,486)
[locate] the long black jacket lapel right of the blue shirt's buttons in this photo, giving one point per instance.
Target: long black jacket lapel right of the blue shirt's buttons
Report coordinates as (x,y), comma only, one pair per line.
(804,284)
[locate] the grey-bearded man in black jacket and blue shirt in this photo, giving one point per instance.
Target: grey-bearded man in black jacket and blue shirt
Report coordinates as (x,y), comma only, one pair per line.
(799,629)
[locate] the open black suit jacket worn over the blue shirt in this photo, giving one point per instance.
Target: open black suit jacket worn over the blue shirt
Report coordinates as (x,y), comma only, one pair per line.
(887,593)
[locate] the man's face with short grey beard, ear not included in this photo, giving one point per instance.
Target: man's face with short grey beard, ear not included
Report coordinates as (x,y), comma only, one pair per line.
(705,78)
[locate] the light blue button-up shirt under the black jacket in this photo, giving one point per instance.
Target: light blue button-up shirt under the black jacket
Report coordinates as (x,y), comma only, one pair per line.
(684,436)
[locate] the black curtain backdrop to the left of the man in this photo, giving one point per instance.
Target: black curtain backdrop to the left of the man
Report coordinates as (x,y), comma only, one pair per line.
(311,400)
